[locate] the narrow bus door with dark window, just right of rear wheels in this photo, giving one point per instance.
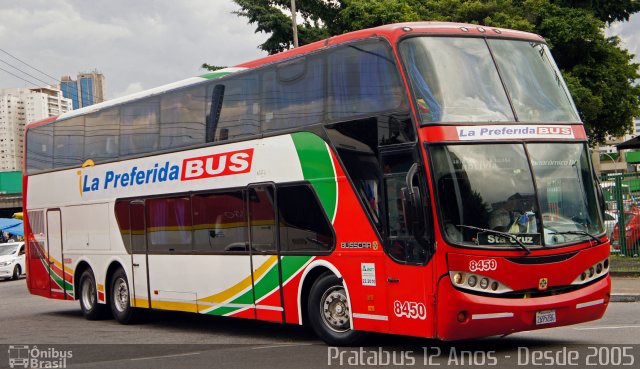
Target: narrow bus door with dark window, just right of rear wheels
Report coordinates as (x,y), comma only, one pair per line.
(139,257)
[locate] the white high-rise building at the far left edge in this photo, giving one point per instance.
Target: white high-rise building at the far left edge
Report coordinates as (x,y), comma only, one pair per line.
(19,106)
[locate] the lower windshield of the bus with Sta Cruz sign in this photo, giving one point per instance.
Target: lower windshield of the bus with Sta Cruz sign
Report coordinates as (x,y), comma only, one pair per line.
(493,187)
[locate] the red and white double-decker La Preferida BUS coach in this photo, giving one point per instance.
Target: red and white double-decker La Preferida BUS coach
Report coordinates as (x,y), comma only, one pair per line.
(423,179)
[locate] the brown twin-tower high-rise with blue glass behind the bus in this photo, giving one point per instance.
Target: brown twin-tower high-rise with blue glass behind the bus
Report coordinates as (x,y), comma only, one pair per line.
(87,89)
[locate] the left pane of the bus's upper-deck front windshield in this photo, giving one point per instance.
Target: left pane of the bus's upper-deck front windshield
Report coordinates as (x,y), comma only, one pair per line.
(455,80)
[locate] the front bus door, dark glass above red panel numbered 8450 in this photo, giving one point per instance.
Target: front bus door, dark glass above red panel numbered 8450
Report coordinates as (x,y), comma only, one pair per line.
(409,274)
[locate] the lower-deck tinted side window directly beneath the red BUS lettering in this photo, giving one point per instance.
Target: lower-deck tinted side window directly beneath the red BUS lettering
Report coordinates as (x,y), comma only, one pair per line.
(219,222)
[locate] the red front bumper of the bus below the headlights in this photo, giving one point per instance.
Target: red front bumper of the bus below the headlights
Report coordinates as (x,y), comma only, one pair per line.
(489,316)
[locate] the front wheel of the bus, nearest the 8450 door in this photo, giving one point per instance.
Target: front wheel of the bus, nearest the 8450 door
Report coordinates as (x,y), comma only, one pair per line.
(330,314)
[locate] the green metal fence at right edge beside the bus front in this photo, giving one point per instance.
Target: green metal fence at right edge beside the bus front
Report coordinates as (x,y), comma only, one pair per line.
(622,219)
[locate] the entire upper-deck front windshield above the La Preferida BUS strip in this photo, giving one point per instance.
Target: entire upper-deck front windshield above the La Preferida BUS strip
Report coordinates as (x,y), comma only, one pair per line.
(457,80)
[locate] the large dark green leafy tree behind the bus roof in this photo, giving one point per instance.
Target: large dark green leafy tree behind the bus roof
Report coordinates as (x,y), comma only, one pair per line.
(598,72)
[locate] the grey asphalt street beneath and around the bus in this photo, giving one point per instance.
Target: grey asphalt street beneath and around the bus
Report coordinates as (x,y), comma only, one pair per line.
(54,332)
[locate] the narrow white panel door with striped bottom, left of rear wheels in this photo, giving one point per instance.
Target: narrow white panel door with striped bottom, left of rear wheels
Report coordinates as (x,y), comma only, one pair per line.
(54,254)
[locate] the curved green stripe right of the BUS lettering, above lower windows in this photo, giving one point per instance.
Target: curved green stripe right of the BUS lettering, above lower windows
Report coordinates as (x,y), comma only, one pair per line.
(317,168)
